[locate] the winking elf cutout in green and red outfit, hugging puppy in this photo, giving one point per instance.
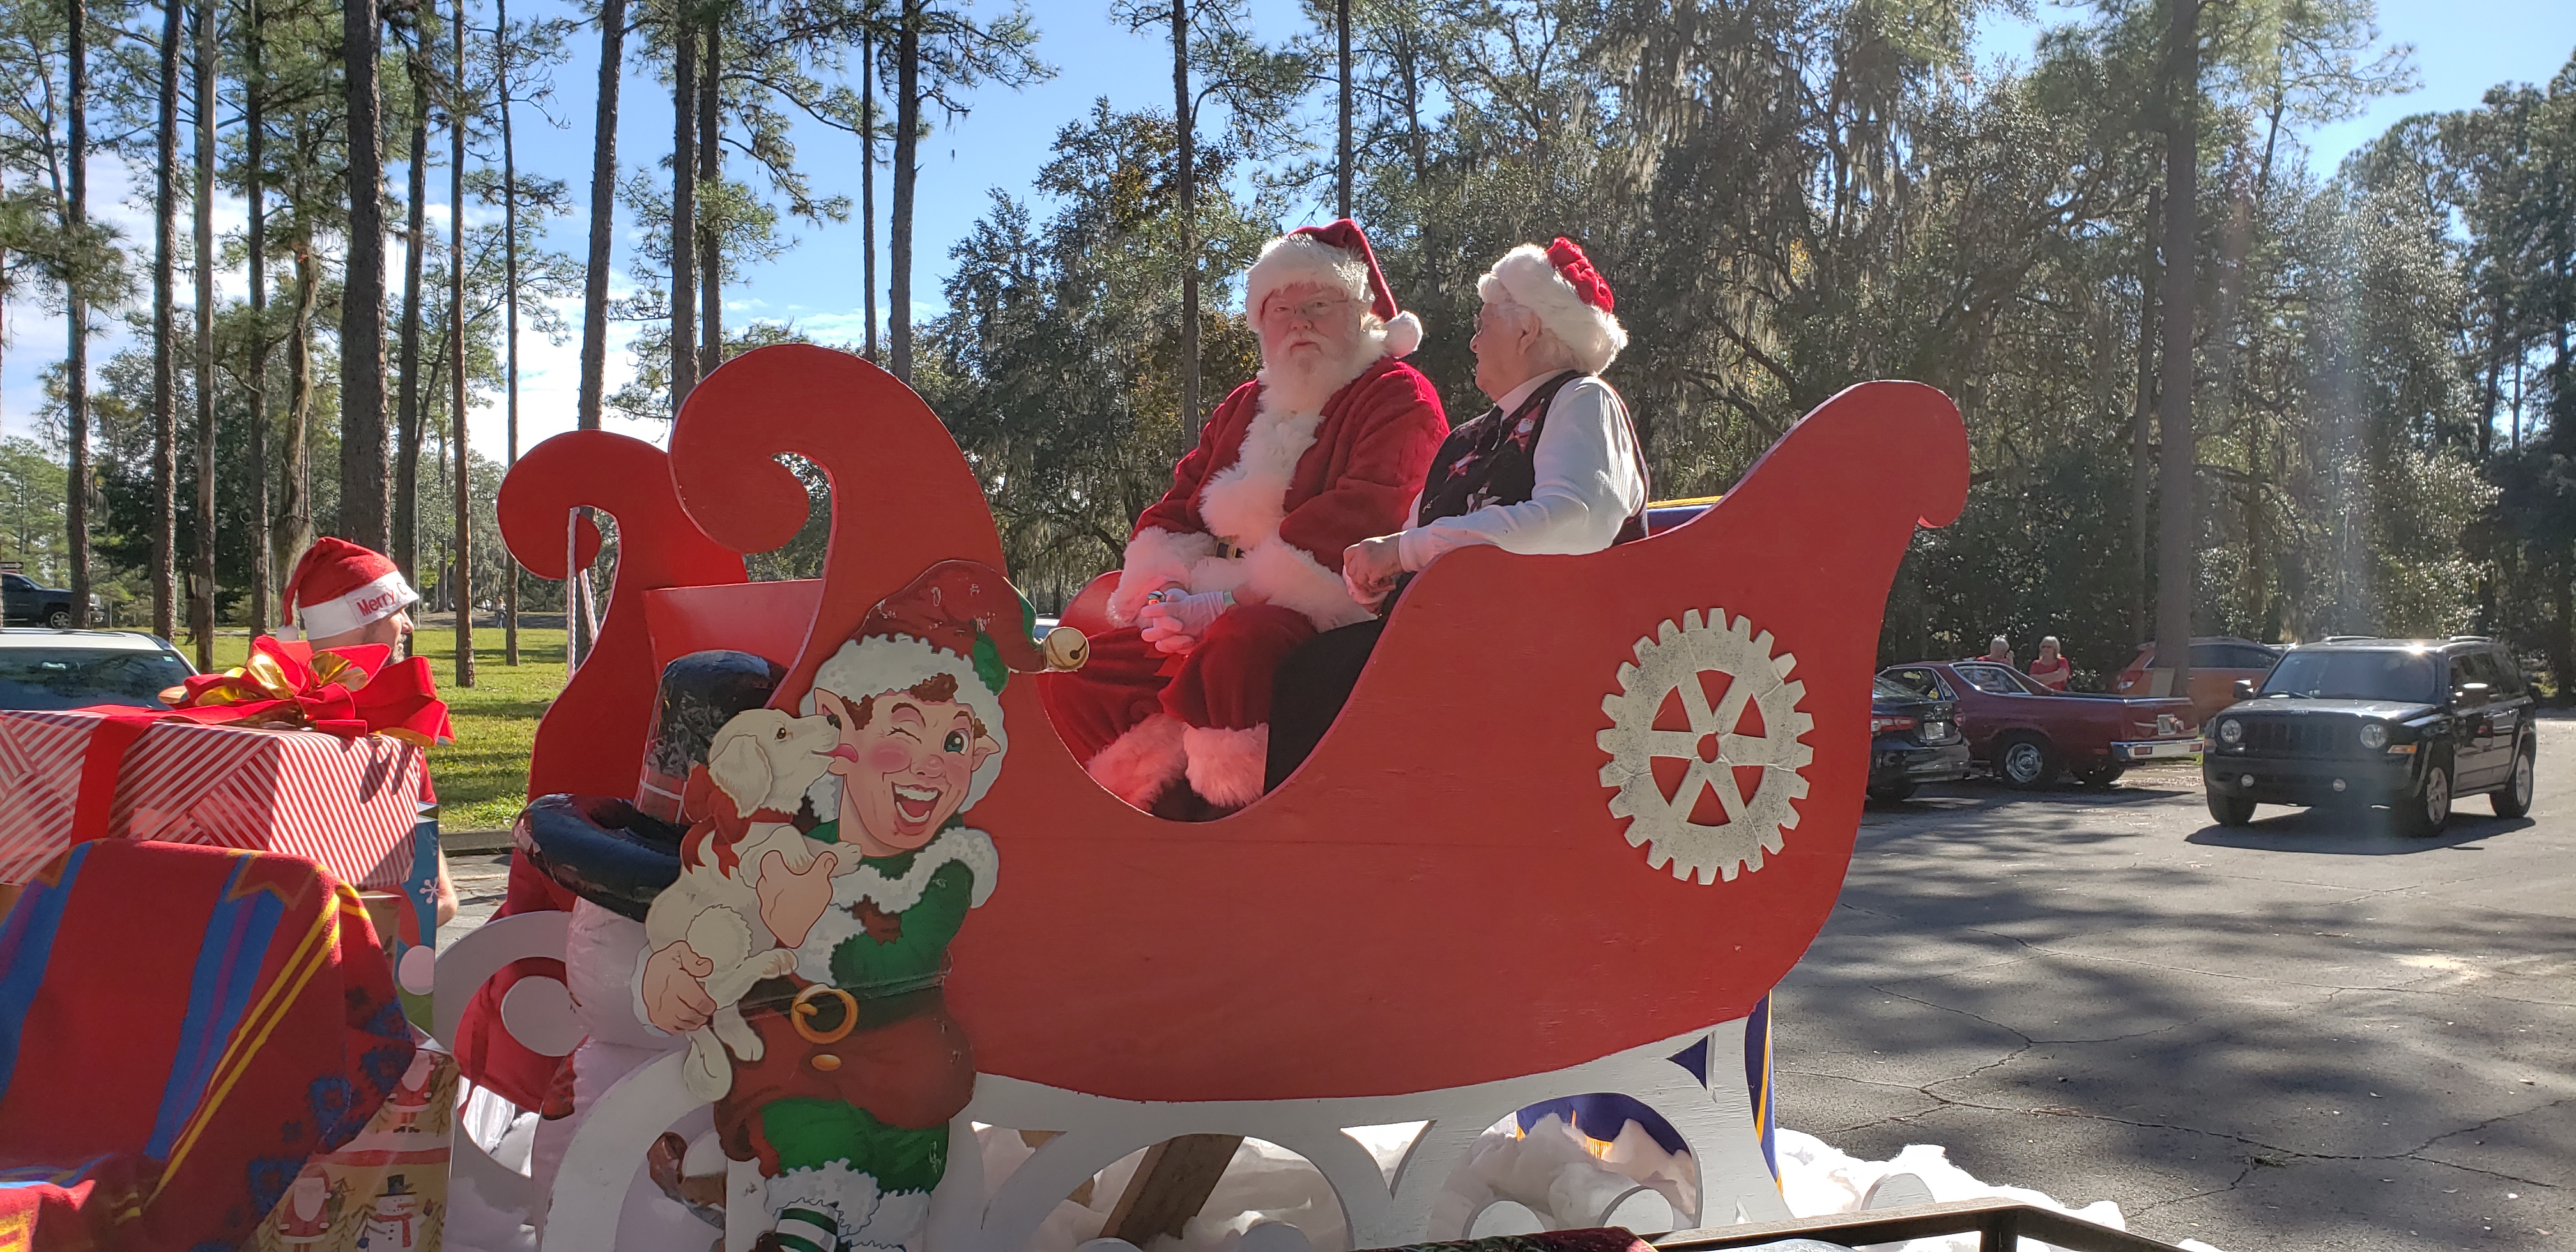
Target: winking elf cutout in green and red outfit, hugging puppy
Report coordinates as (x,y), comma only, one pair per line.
(846,1109)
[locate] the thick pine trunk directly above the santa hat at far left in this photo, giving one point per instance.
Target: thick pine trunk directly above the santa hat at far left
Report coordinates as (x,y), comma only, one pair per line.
(365,501)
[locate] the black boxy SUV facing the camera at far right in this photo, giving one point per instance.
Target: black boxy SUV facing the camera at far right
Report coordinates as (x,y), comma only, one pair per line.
(2400,723)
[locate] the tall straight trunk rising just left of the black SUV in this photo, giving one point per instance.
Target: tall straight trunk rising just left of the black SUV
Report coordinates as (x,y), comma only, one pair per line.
(2175,542)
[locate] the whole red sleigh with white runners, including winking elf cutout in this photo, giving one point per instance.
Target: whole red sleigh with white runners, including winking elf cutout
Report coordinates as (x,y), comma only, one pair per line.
(893,908)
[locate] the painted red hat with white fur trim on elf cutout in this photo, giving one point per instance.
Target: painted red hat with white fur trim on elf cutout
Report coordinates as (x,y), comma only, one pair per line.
(960,620)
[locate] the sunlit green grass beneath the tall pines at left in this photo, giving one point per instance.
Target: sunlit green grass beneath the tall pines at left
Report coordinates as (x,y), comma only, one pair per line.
(483,777)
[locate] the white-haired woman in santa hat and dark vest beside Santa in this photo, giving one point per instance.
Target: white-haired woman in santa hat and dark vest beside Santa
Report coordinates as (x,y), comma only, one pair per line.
(1552,468)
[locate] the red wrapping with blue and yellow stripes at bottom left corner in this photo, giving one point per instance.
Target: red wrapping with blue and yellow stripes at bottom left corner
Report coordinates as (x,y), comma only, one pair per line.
(182,1029)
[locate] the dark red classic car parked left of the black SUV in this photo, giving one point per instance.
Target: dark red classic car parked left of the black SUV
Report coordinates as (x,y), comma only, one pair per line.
(2029,733)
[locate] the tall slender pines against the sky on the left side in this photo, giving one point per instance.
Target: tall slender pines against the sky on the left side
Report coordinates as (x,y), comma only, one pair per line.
(334,395)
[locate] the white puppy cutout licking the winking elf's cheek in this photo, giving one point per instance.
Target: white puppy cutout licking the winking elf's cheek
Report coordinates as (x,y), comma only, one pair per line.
(764,761)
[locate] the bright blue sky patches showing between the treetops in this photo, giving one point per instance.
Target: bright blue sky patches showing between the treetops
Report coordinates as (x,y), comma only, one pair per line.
(2461,48)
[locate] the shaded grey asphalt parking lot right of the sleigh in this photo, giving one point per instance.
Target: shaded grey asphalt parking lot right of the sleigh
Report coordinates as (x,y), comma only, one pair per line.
(2302,1034)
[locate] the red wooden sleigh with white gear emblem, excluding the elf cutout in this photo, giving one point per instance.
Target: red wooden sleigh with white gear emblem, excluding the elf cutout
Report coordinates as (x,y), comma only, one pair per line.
(1575,823)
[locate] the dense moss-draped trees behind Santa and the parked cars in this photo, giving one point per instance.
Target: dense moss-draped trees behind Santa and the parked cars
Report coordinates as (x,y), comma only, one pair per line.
(2209,393)
